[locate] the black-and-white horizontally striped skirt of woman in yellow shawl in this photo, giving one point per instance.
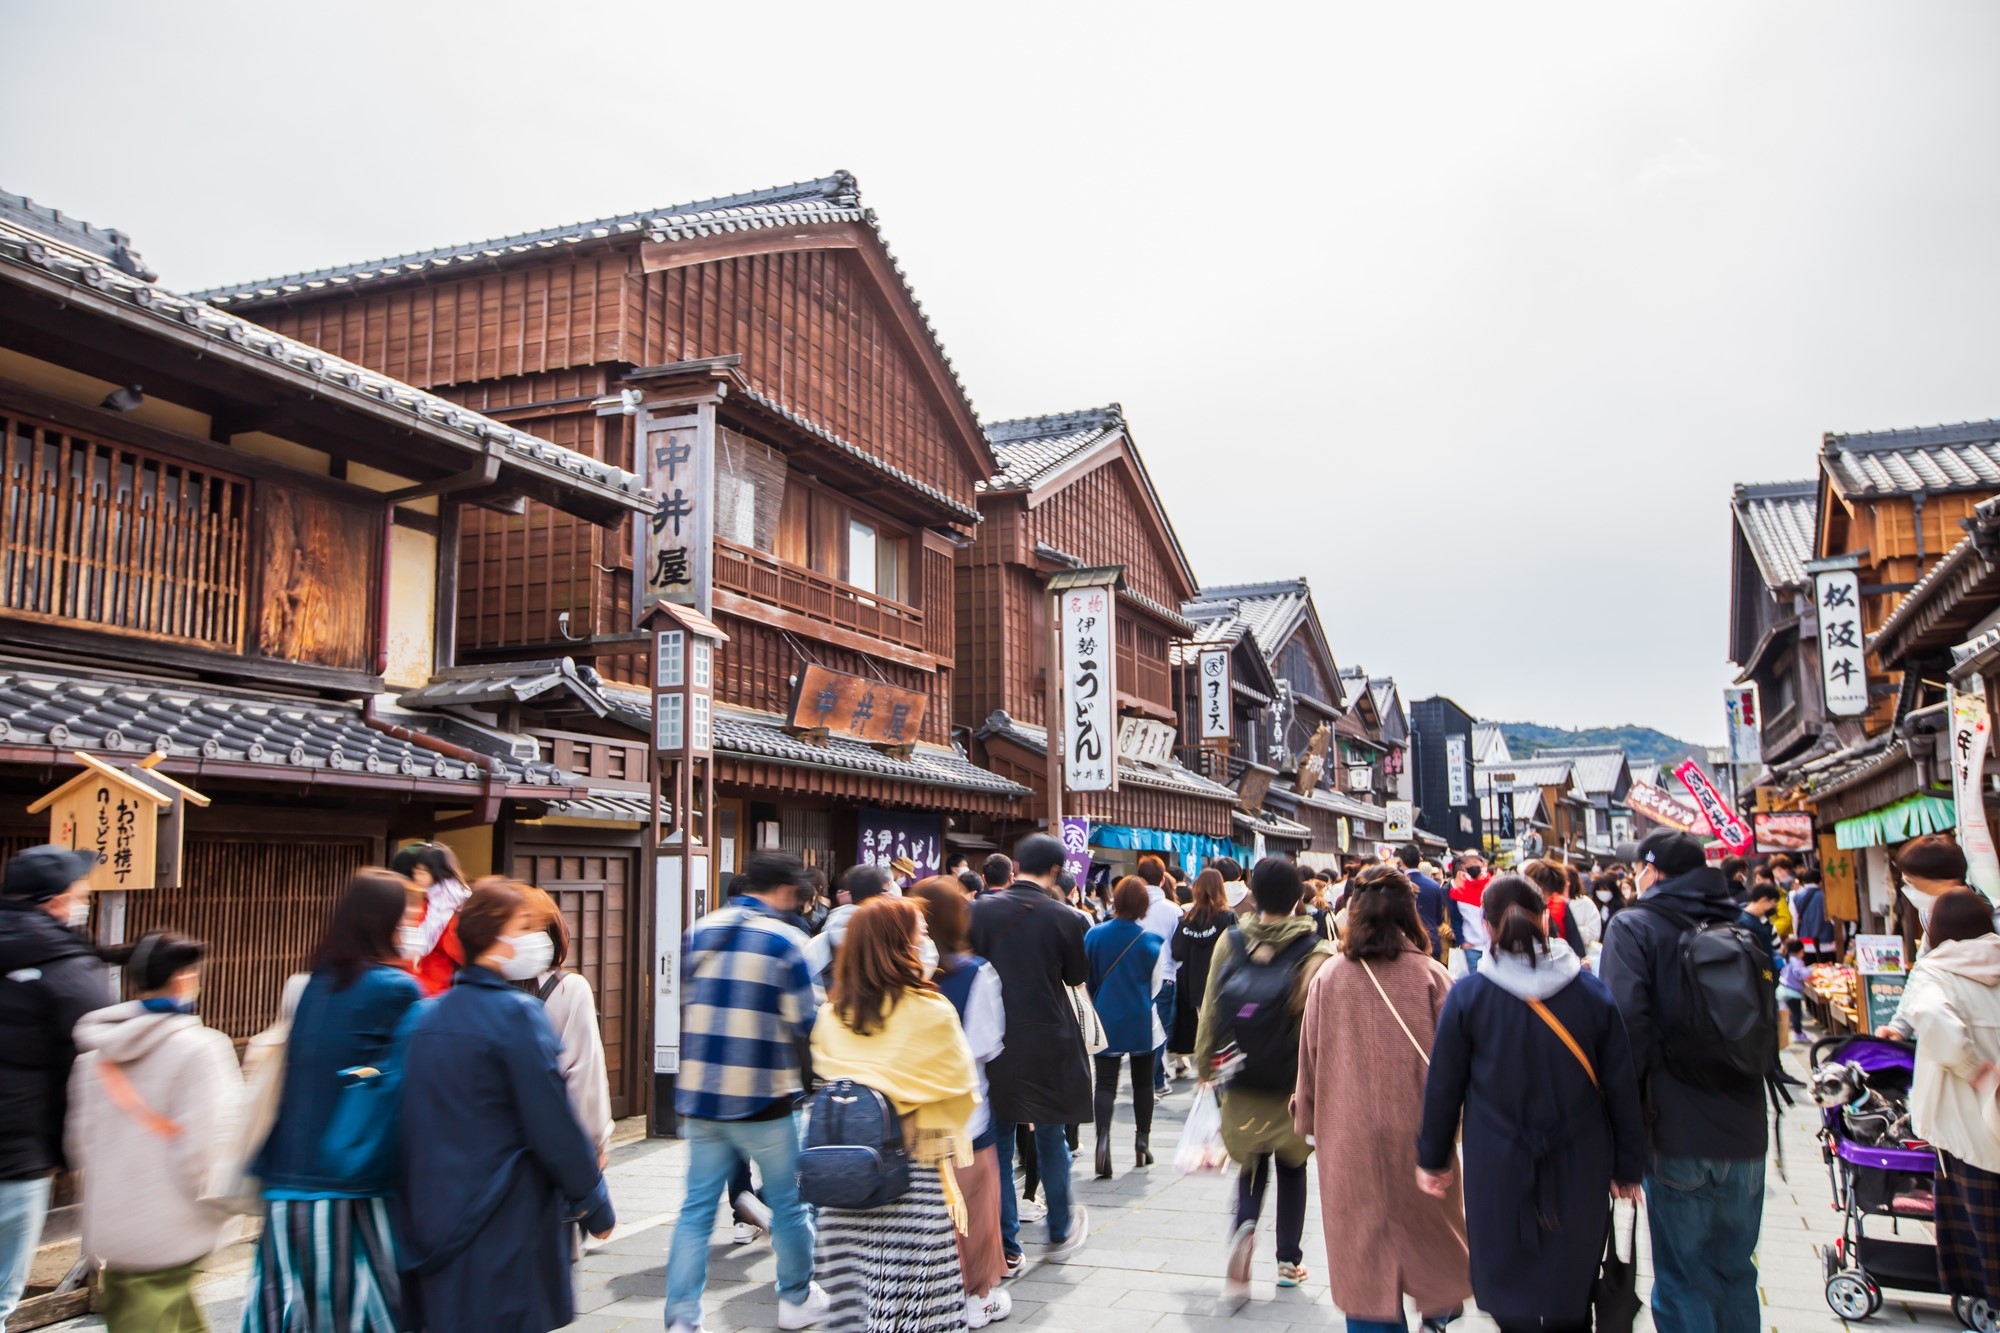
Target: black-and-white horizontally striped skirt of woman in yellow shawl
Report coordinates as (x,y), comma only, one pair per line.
(893,1270)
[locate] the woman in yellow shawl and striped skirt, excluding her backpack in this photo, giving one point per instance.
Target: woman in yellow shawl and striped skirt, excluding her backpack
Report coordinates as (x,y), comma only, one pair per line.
(895,1270)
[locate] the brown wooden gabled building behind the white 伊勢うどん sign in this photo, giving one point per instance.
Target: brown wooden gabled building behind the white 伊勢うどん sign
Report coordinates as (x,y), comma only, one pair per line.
(1073,493)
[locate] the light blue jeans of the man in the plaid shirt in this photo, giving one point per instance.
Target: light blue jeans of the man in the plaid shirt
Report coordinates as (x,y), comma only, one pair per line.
(715,1150)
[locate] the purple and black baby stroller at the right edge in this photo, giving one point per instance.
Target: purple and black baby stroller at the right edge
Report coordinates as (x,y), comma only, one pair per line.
(1879,1170)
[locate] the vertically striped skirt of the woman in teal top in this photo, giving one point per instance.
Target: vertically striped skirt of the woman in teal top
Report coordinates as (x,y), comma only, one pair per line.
(325,1266)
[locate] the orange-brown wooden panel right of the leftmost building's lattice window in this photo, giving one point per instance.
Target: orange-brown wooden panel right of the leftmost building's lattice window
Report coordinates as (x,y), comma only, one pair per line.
(319,565)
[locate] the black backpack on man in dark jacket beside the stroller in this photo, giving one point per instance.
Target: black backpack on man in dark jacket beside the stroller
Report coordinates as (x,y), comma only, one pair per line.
(1725,1030)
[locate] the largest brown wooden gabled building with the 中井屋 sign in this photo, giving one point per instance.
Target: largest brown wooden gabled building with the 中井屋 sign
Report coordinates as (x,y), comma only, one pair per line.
(765,363)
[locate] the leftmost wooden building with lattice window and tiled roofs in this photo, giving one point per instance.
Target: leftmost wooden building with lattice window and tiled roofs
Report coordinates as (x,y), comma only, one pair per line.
(231,549)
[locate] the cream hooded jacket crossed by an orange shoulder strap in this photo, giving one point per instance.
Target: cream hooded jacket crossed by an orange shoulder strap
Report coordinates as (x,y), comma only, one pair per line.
(141,1190)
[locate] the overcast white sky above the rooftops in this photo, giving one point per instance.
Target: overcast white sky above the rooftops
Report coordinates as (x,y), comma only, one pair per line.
(1467,313)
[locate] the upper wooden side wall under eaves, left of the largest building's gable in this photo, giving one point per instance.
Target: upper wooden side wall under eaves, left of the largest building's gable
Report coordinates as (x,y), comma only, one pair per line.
(519,321)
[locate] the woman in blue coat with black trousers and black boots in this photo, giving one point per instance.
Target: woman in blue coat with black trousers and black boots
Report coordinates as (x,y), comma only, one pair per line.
(1125,976)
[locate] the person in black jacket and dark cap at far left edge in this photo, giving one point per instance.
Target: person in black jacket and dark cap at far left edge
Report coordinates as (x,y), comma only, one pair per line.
(49,980)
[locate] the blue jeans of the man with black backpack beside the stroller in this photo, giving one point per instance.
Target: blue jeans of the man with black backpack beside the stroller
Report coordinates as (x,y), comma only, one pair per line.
(1705,1216)
